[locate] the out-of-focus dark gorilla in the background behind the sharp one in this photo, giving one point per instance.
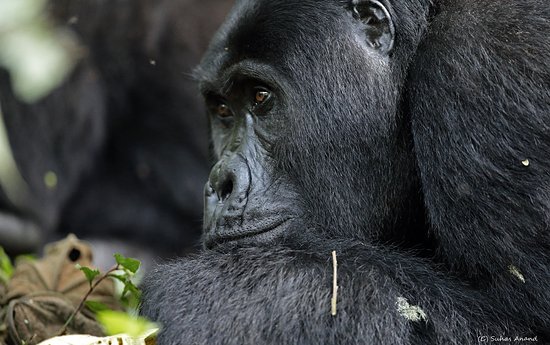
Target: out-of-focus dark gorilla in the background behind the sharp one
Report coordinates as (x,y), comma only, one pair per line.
(124,138)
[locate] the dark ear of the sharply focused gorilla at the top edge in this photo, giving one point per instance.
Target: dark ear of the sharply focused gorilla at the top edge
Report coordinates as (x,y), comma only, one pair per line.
(379,28)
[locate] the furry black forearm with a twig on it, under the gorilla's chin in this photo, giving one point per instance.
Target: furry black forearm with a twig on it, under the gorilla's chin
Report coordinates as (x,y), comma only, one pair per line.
(259,296)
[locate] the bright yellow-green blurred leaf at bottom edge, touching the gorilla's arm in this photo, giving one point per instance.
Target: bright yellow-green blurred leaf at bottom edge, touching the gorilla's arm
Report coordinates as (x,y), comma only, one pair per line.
(115,322)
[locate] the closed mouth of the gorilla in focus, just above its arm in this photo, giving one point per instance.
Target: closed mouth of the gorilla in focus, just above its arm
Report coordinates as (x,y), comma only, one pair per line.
(253,232)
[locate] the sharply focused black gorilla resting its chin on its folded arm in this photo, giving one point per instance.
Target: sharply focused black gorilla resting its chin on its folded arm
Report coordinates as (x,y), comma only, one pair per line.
(410,137)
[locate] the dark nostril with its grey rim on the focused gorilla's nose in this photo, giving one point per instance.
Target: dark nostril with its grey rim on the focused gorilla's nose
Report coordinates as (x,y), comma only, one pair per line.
(229,180)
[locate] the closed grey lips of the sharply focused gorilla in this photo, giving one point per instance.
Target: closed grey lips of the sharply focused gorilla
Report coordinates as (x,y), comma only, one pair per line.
(222,234)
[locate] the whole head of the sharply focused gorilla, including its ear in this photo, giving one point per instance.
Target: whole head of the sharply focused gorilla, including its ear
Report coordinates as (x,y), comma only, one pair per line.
(307,138)
